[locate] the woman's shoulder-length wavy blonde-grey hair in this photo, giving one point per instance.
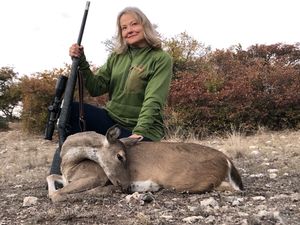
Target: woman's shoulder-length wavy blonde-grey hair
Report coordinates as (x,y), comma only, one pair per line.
(150,34)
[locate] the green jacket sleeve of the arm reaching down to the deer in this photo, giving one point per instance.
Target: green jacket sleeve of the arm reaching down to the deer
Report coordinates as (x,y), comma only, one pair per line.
(155,94)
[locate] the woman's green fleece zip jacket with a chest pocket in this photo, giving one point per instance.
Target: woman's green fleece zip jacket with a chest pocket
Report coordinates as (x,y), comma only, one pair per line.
(138,83)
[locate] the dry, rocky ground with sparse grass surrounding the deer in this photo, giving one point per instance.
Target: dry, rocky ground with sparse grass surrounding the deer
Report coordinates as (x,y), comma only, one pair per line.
(268,163)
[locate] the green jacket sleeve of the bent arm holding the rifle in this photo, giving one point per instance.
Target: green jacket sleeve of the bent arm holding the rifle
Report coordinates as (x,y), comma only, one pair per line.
(98,83)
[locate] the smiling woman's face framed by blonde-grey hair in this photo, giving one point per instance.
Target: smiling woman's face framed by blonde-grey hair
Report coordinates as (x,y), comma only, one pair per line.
(132,30)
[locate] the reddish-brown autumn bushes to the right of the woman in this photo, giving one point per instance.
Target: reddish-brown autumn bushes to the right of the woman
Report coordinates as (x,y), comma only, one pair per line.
(244,89)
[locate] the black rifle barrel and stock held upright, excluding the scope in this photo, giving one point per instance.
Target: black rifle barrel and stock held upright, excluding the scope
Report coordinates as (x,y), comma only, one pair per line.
(67,100)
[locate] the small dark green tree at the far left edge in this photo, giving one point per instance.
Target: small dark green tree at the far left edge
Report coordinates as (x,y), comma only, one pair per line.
(10,93)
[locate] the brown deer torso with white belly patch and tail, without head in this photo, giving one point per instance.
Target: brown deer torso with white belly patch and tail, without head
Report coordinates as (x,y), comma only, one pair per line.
(181,166)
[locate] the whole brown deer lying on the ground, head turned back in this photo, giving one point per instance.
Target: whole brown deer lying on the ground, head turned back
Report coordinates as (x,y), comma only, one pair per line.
(91,161)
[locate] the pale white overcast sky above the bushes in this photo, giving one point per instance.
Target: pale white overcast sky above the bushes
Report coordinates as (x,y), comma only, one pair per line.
(36,34)
